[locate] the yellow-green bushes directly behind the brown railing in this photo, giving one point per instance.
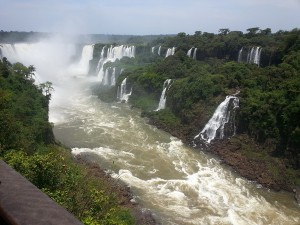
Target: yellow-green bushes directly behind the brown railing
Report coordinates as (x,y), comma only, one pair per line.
(57,175)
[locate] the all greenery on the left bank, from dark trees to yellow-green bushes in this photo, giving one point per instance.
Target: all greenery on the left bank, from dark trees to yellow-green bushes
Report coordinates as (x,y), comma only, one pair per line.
(27,144)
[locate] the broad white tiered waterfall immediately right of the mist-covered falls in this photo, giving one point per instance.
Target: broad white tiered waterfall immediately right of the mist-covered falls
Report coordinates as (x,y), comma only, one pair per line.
(112,54)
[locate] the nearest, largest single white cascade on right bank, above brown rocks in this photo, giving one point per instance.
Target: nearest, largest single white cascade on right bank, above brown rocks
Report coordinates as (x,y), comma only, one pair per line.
(217,122)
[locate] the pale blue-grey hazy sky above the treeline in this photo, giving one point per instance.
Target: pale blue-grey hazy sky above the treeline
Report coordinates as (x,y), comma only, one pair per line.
(143,17)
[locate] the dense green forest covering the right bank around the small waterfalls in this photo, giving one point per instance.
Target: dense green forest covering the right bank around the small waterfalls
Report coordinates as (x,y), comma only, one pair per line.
(269,94)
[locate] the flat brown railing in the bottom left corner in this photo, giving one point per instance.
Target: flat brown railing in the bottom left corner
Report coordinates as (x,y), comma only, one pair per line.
(22,203)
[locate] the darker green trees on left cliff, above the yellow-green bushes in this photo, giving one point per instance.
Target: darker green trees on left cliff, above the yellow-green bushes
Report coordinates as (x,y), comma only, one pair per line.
(24,115)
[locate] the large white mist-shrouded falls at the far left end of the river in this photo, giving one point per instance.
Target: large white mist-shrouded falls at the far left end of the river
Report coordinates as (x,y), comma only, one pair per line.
(46,56)
